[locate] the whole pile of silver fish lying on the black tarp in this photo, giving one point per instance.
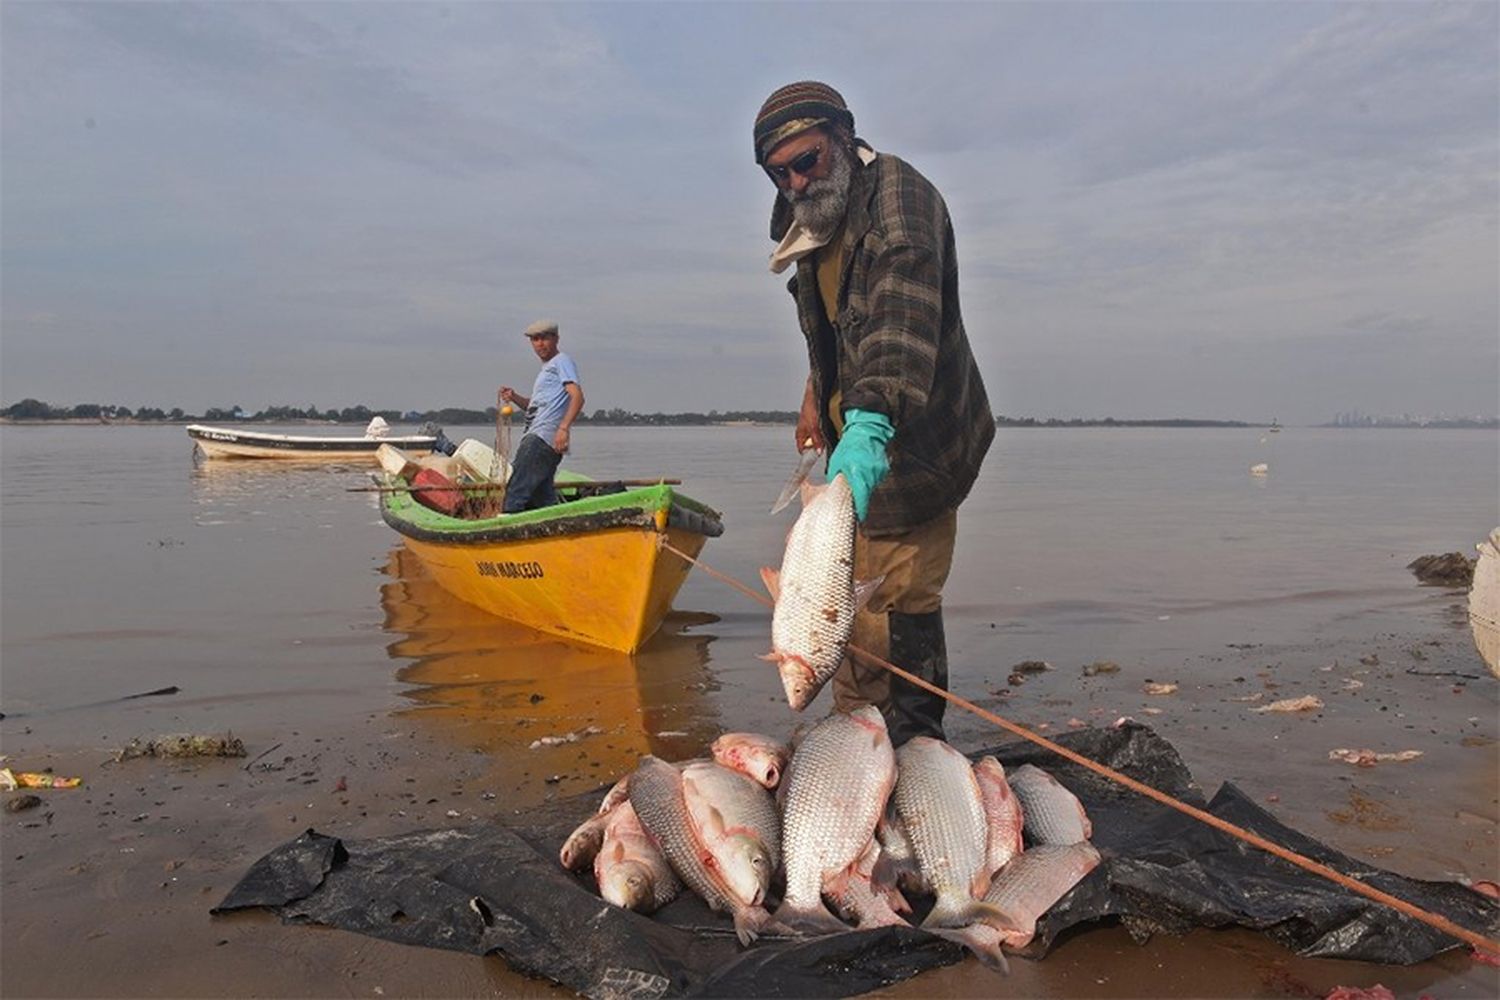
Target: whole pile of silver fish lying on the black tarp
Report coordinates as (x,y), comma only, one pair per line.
(841,833)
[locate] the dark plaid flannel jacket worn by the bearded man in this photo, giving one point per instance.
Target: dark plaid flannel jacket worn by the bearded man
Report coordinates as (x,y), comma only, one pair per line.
(899,347)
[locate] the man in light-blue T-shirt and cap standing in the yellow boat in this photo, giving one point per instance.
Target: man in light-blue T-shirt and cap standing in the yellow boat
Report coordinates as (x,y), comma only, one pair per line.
(557,400)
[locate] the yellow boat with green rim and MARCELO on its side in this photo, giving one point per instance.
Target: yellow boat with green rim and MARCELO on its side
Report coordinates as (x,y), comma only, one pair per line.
(592,570)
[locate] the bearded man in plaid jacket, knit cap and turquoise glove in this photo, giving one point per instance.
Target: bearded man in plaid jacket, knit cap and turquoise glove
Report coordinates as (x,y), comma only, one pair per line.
(893,385)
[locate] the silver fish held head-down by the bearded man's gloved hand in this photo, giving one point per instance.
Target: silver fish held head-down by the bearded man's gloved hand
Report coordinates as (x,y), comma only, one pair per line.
(815,593)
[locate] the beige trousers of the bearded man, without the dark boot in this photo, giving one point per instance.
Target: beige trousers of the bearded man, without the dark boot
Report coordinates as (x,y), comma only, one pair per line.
(916,567)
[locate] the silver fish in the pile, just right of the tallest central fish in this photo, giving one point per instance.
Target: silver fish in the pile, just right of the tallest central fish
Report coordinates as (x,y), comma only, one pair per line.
(940,804)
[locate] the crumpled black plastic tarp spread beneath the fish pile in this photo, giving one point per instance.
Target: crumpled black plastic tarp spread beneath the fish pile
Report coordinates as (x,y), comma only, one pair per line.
(502,890)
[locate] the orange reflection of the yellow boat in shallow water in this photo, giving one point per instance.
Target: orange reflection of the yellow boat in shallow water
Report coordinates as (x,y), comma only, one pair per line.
(499,687)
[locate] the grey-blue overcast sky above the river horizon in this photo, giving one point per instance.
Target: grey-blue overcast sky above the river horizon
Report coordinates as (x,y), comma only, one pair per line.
(1241,211)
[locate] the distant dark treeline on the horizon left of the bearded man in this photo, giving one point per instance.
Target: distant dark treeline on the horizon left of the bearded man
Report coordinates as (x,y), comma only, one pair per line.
(109,413)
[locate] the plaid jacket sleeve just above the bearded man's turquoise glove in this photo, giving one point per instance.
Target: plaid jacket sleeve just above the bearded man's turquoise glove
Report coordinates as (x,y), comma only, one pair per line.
(896,349)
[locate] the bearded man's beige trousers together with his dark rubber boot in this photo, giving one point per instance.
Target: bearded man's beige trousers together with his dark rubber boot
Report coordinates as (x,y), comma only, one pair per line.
(902,624)
